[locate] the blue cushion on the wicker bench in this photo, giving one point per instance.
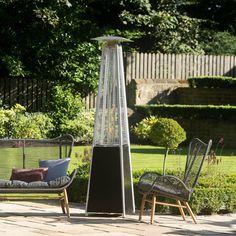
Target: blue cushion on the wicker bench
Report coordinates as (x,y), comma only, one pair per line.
(56,168)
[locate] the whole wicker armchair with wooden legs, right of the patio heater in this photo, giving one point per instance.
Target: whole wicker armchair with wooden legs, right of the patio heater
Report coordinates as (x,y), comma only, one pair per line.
(153,184)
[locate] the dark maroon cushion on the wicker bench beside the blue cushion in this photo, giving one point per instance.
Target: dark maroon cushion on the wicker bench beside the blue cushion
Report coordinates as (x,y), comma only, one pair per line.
(28,175)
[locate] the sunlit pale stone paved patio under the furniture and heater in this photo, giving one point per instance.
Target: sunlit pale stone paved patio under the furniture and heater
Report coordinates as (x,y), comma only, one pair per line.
(44,218)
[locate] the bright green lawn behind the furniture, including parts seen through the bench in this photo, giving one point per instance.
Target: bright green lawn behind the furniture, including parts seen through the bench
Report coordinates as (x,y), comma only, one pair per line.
(143,157)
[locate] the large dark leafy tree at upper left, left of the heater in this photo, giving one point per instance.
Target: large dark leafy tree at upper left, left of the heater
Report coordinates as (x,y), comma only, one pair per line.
(48,40)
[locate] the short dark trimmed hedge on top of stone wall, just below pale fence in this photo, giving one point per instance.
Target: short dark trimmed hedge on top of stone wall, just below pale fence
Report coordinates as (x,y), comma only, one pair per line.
(212,82)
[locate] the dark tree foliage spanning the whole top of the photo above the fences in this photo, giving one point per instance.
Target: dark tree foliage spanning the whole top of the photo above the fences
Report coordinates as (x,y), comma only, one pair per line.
(52,39)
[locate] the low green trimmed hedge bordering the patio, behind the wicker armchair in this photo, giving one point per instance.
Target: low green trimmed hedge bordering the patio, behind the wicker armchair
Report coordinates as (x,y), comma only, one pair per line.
(210,196)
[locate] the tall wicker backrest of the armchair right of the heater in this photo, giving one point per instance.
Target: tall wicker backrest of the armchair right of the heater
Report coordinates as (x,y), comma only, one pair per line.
(197,151)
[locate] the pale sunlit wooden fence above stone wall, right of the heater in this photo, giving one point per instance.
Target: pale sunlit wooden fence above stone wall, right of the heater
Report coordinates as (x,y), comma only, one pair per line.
(170,67)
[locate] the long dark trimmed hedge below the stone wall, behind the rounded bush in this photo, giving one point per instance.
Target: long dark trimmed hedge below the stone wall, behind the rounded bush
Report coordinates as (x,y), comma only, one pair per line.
(188,111)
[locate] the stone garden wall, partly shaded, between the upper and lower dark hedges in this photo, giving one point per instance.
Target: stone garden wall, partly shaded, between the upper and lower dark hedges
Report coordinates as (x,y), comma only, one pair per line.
(147,91)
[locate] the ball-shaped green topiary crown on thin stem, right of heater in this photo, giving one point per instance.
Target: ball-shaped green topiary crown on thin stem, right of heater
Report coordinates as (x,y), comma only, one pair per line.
(167,133)
